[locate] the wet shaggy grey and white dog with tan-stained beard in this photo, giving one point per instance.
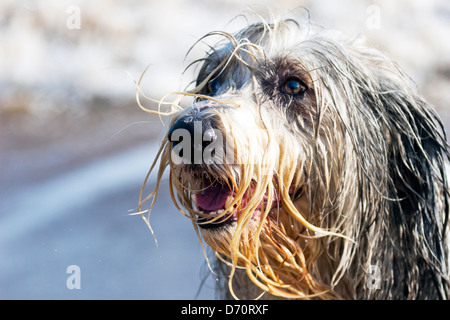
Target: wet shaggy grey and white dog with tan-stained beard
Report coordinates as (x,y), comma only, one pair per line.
(310,165)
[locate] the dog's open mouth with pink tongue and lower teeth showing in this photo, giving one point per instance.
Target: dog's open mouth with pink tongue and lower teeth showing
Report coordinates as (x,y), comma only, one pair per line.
(217,205)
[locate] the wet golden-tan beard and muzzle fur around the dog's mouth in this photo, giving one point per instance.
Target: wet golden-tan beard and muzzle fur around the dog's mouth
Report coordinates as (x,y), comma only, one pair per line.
(253,213)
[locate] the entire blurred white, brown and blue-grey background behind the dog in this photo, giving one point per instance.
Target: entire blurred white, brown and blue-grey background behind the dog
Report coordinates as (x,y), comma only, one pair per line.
(75,147)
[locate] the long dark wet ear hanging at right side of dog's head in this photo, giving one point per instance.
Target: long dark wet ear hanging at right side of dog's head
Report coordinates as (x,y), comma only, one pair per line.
(418,198)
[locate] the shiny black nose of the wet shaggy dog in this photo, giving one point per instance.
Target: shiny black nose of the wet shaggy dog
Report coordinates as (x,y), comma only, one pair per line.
(190,135)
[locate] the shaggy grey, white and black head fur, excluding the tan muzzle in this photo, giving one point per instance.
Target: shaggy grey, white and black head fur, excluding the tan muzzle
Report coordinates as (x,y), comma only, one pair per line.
(372,152)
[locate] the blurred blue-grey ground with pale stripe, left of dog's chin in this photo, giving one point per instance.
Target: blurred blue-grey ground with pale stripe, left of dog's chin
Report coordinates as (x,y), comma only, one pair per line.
(81,217)
